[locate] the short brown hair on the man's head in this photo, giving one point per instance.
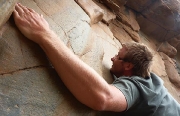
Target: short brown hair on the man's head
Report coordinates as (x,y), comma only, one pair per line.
(140,56)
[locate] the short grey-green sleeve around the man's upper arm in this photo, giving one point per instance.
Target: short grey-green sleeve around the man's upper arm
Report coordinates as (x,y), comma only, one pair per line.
(129,89)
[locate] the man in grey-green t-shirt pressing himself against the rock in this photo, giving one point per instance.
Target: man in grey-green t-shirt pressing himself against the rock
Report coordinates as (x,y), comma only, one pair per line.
(134,92)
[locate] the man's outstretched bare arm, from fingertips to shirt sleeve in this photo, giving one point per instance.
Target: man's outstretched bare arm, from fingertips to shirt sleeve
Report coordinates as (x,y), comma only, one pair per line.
(84,83)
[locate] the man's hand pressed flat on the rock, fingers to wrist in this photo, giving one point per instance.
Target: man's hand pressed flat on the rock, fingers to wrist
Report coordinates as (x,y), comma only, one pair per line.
(30,23)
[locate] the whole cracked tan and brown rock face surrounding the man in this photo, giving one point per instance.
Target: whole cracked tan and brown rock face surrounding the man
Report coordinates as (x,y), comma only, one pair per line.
(94,31)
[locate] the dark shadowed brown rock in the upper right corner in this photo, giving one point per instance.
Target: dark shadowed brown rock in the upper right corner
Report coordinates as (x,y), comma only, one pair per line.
(163,14)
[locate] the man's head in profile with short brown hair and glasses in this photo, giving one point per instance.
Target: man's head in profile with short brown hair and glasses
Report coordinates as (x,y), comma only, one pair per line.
(133,59)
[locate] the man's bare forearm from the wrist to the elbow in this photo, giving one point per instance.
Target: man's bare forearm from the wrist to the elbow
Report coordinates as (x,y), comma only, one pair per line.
(85,84)
